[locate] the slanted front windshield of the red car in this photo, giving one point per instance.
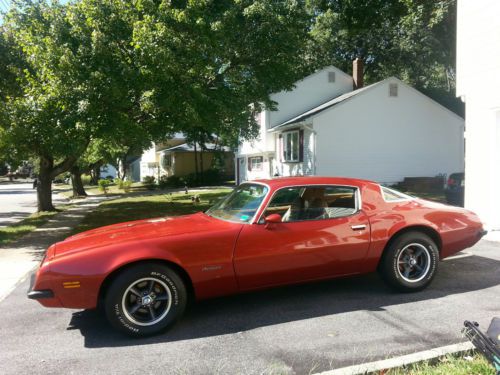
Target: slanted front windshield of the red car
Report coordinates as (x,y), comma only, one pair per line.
(241,205)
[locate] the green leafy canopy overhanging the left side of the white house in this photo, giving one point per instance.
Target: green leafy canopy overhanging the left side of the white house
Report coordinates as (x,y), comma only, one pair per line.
(211,64)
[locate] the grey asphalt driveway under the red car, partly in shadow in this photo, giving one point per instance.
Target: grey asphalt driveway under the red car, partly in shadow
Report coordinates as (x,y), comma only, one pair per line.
(299,329)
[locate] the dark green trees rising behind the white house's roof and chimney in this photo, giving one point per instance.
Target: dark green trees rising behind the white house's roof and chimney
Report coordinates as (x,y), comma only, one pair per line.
(413,40)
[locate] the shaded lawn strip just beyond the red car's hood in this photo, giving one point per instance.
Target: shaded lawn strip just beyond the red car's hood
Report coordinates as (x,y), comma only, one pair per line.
(143,207)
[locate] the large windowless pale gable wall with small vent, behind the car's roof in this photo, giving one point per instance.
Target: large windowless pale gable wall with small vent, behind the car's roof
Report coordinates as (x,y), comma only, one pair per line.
(390,138)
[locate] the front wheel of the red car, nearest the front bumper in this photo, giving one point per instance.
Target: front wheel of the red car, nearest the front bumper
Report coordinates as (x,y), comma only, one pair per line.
(145,299)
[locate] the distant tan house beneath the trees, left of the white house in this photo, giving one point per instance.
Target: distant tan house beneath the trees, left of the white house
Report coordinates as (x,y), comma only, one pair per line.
(176,157)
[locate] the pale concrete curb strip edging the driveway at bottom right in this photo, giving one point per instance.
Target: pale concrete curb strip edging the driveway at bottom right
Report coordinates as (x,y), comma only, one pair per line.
(404,360)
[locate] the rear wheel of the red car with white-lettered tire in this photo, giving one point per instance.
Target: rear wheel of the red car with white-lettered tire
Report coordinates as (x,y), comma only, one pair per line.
(410,262)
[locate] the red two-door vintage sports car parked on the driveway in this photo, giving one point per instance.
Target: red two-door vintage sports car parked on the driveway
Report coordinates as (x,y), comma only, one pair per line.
(265,233)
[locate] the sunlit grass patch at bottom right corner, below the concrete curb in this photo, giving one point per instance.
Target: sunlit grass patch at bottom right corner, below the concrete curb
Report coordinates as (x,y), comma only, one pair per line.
(448,365)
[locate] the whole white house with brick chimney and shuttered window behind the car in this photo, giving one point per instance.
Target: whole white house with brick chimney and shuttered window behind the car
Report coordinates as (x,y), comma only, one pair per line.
(384,132)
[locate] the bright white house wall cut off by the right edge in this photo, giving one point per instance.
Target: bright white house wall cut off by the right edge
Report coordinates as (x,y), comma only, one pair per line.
(478,83)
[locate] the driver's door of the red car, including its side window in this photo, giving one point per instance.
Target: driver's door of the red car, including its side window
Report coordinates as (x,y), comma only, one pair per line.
(331,241)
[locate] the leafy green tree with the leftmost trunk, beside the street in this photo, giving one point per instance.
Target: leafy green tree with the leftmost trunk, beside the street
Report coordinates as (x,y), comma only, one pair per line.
(75,83)
